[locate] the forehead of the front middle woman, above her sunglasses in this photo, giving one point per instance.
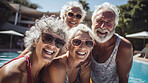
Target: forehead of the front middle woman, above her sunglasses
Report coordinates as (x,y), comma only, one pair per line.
(82,35)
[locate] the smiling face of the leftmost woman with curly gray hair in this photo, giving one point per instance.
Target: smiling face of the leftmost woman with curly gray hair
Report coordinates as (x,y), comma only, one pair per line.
(46,48)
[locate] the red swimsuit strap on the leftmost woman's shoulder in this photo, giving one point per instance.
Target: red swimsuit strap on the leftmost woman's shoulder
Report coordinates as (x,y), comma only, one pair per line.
(29,75)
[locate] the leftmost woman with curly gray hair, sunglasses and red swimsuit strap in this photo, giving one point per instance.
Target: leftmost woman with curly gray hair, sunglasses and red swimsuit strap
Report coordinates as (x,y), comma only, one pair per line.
(45,40)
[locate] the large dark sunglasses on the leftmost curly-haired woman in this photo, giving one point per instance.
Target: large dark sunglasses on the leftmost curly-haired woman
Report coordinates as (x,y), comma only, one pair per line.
(47,38)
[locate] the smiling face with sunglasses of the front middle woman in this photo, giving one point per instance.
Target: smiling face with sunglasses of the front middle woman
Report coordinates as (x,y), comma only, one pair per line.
(81,45)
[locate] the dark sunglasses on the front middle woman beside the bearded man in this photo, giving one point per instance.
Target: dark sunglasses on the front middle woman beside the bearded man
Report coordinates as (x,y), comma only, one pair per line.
(77,42)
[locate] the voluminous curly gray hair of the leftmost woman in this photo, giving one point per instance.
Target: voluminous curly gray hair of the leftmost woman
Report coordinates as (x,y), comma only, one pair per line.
(51,23)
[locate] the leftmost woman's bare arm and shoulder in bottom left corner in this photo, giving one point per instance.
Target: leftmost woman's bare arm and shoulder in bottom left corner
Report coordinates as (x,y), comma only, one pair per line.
(11,73)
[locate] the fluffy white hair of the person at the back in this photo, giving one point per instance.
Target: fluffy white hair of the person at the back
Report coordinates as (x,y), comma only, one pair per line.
(70,5)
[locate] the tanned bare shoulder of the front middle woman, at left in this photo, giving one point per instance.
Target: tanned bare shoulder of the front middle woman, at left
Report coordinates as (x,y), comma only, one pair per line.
(56,69)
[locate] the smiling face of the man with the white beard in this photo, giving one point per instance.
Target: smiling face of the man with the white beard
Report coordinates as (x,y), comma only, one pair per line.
(103,25)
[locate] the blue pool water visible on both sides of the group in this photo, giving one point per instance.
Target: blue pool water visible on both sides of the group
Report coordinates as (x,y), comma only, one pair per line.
(138,74)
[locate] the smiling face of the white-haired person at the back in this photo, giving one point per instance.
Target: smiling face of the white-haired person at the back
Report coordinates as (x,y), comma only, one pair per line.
(73,20)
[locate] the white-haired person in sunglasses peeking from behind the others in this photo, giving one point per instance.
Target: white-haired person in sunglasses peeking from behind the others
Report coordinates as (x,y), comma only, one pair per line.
(72,13)
